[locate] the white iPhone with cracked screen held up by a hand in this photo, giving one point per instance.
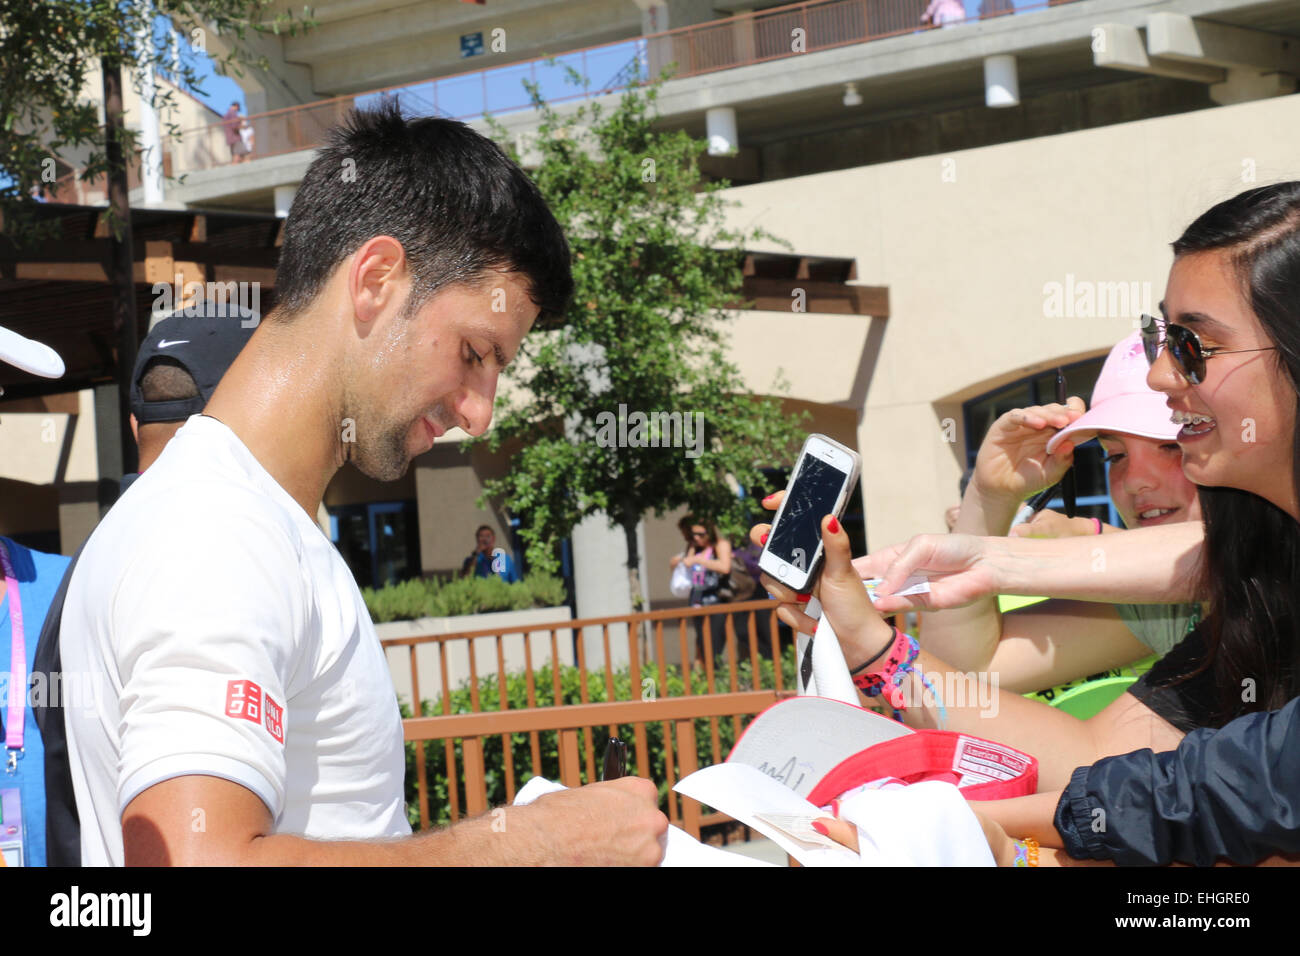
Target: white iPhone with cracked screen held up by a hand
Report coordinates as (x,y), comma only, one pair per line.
(820,486)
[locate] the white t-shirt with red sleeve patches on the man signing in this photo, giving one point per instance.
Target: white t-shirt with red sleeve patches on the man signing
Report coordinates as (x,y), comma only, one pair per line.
(232,642)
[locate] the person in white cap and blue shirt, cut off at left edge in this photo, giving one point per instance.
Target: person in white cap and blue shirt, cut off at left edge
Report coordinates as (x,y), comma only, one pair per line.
(27,591)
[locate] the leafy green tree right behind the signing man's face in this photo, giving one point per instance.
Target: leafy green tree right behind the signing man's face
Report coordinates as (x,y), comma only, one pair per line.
(658,272)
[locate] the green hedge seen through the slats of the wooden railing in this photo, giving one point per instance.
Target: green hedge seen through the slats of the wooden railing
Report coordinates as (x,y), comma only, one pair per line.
(517,690)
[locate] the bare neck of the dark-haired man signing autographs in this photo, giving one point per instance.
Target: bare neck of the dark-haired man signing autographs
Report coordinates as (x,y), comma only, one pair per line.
(280,399)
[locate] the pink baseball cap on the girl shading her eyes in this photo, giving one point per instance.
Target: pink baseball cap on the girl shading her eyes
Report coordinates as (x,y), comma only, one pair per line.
(1123,401)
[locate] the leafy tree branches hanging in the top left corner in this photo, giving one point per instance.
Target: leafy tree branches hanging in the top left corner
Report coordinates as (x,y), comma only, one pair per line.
(47,50)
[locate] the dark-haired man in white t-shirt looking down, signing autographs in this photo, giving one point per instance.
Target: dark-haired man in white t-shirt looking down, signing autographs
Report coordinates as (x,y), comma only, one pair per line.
(252,717)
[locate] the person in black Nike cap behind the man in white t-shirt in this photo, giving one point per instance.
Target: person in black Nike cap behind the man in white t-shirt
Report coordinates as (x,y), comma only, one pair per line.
(177,367)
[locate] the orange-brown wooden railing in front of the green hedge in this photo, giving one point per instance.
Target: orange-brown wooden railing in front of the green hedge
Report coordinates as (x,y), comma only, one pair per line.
(655,699)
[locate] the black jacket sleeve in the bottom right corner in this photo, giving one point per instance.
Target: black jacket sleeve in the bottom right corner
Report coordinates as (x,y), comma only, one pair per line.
(1224,794)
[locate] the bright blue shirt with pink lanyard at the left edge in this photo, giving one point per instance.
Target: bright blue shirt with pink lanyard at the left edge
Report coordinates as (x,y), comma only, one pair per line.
(38,578)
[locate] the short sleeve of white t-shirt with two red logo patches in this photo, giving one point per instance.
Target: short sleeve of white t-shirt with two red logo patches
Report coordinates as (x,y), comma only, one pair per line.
(207,621)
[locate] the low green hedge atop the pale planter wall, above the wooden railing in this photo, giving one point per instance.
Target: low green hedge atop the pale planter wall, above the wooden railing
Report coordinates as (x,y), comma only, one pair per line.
(444,599)
